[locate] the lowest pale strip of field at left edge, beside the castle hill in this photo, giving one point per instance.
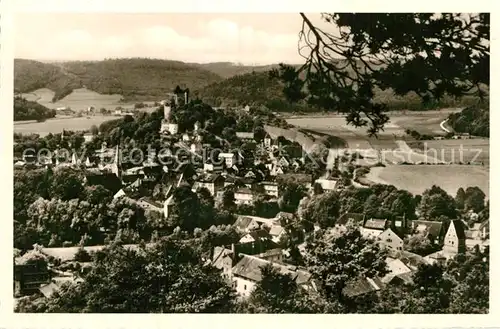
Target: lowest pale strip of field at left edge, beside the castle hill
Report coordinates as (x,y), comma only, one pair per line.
(57,125)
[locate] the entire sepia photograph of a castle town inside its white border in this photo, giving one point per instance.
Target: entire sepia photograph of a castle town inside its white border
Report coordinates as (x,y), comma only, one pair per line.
(244,163)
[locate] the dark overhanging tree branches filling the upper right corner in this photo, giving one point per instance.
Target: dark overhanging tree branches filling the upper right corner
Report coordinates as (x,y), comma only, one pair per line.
(432,55)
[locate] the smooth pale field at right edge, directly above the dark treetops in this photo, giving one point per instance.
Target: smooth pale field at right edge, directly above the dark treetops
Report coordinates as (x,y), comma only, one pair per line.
(417,178)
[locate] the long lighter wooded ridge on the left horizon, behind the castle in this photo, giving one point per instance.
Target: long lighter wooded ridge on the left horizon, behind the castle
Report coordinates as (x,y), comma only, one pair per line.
(135,78)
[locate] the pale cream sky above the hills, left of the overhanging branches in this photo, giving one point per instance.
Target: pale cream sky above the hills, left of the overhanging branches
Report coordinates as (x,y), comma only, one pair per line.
(252,39)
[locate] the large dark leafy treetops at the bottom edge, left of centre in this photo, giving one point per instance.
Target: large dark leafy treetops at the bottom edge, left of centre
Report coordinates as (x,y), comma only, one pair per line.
(165,278)
